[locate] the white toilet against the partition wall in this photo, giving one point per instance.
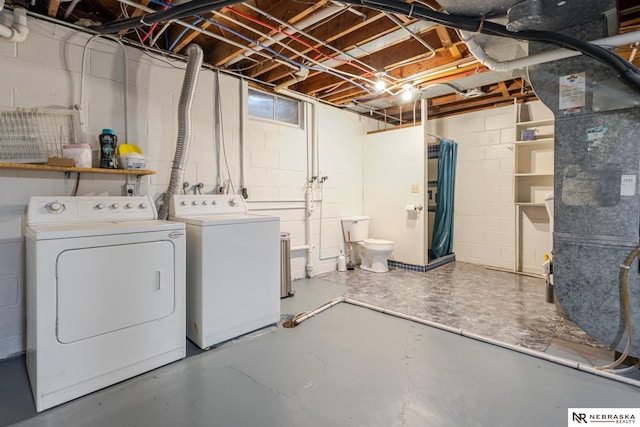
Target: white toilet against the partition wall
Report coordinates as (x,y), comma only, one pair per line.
(373,252)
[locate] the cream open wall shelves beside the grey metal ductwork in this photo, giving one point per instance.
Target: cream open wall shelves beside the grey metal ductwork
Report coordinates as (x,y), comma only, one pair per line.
(533,161)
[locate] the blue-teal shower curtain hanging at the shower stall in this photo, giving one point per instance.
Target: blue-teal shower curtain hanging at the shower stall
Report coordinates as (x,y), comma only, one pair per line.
(442,239)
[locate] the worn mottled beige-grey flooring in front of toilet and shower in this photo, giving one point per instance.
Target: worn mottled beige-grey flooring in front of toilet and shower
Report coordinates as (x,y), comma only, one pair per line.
(504,306)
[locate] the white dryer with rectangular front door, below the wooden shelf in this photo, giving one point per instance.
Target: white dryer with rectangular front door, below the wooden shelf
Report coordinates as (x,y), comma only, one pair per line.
(105,293)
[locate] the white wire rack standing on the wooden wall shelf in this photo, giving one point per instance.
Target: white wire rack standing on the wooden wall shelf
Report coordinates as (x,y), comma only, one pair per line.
(34,135)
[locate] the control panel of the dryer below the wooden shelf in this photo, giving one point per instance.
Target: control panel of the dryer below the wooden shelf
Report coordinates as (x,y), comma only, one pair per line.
(67,210)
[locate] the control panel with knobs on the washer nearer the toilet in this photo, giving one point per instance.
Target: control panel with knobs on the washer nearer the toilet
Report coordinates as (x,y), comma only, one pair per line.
(207,204)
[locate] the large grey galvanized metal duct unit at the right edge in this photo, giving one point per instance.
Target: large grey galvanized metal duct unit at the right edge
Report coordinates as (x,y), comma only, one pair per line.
(597,205)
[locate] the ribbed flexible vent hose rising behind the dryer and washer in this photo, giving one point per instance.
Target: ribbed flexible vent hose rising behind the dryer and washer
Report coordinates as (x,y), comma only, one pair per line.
(184,126)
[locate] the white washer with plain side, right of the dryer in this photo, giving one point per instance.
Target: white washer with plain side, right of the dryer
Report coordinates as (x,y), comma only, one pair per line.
(233,267)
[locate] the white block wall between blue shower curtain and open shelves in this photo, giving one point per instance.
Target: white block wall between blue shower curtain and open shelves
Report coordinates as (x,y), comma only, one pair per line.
(484,227)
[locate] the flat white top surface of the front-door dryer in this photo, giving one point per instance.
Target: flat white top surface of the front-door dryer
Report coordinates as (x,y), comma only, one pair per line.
(63,231)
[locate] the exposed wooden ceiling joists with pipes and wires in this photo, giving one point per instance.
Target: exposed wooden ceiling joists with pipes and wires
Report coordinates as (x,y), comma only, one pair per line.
(347,48)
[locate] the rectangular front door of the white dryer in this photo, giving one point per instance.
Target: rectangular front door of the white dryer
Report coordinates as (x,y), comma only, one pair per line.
(108,288)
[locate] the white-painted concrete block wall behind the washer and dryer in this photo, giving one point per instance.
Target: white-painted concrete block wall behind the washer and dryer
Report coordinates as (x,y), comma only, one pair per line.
(45,72)
